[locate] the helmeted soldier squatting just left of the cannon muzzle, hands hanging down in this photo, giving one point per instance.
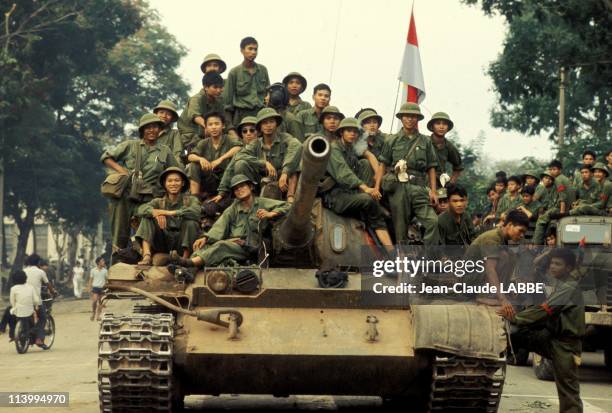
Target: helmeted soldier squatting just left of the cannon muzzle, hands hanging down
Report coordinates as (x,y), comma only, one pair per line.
(275,154)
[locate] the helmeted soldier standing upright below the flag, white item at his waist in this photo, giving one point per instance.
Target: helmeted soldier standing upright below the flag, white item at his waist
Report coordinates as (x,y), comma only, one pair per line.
(412,184)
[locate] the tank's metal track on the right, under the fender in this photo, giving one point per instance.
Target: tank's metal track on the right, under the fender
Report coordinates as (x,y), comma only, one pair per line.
(466,384)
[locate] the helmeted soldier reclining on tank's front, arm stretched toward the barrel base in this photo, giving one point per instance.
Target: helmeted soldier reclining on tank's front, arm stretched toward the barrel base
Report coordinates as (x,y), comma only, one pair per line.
(236,235)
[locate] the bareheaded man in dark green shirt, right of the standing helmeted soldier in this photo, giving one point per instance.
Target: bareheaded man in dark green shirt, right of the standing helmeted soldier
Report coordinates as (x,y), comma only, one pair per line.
(455,225)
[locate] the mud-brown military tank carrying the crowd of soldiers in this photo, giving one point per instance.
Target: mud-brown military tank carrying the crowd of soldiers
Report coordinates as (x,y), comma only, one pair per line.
(270,328)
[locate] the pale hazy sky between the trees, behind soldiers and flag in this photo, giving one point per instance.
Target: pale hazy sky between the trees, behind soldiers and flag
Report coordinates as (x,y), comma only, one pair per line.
(356,47)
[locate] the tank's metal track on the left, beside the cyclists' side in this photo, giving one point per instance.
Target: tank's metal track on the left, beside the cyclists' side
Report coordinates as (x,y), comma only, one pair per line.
(135,363)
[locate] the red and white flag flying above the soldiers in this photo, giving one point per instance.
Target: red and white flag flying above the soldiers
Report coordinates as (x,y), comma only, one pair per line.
(411,70)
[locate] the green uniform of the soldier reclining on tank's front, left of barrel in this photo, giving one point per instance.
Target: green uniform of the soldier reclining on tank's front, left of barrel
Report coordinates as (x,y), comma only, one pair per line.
(238,223)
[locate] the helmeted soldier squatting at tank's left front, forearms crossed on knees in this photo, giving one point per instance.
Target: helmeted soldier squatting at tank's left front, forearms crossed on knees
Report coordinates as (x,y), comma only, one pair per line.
(171,222)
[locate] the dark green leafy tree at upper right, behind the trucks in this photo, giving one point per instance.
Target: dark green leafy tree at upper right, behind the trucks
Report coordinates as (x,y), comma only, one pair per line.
(542,37)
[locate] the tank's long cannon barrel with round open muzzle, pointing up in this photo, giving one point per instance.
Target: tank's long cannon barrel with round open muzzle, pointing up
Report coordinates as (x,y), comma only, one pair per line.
(297,230)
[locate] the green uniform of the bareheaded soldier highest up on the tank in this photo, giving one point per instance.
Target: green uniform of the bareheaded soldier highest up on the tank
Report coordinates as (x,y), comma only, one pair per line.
(244,92)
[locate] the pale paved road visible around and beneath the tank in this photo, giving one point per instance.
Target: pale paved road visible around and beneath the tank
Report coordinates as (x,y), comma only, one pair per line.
(72,363)
